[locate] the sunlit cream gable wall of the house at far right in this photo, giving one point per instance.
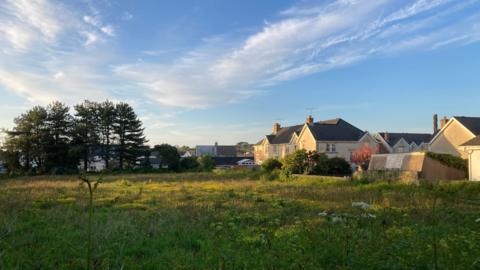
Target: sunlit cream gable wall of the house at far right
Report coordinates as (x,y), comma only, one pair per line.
(450,139)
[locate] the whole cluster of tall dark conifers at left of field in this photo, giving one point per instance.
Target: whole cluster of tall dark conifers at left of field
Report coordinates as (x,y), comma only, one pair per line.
(51,139)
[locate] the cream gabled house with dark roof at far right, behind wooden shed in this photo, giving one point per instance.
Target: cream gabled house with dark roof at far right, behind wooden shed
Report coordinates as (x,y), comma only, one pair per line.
(453,134)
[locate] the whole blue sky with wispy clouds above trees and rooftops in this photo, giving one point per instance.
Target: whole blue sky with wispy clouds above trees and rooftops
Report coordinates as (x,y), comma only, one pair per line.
(205,71)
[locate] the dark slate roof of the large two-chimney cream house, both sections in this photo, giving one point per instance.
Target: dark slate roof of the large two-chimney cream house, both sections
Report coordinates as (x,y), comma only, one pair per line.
(329,130)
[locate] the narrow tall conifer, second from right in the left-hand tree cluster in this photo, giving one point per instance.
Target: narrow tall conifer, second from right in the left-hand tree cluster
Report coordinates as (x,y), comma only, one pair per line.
(107,114)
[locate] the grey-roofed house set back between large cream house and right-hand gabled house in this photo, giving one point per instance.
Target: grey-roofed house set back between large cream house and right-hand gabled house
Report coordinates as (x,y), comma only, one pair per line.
(402,142)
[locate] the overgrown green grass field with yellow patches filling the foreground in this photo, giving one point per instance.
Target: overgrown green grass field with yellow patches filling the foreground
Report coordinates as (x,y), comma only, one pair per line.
(223,221)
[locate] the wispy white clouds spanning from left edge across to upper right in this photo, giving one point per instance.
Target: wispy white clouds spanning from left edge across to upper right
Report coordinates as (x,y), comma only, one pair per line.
(50,50)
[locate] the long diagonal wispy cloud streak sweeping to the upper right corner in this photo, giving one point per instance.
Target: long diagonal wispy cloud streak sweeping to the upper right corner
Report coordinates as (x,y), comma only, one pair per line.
(306,40)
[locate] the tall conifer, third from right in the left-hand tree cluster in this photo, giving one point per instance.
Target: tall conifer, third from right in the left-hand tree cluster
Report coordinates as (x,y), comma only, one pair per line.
(86,133)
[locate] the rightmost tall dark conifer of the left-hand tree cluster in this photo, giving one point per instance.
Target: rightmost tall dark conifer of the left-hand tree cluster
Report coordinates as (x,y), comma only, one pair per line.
(129,132)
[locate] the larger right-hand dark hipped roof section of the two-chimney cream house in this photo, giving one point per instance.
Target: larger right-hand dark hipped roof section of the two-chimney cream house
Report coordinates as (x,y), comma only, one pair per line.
(335,130)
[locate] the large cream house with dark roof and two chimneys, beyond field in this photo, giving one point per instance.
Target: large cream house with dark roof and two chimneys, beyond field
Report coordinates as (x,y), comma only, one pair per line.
(335,138)
